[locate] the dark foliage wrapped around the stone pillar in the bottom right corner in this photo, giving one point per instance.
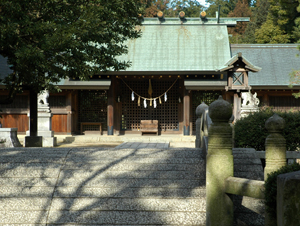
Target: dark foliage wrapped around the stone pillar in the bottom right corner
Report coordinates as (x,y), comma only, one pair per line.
(271,188)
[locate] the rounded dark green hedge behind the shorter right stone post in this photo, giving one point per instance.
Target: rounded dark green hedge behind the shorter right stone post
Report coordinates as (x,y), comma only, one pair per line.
(250,131)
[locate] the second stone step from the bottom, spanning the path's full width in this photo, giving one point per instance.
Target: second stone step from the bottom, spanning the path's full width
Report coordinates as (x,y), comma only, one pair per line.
(103,204)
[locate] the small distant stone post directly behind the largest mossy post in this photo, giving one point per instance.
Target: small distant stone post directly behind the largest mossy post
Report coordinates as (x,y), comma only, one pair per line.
(199,124)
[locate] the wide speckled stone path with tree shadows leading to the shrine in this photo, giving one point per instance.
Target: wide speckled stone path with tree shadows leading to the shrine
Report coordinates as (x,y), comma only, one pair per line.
(102,186)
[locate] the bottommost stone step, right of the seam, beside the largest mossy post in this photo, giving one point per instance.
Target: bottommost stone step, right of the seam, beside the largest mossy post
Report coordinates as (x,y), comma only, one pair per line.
(127,217)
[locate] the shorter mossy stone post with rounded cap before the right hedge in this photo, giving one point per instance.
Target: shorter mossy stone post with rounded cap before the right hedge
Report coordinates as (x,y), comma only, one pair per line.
(275,146)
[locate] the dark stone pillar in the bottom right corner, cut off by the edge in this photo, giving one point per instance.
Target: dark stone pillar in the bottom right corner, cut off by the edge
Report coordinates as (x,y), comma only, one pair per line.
(288,199)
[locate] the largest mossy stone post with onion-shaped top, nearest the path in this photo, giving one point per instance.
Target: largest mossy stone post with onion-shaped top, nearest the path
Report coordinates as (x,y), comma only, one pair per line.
(219,165)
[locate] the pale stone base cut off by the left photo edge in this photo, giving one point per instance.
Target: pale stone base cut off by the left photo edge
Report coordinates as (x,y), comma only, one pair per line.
(9,138)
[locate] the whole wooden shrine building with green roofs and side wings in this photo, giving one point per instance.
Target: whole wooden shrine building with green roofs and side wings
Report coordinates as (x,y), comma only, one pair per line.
(177,64)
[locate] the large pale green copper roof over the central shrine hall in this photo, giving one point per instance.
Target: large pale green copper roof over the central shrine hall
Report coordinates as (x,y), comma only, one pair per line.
(179,47)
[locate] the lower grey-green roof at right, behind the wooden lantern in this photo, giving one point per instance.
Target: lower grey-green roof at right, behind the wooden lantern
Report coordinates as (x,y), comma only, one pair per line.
(276,60)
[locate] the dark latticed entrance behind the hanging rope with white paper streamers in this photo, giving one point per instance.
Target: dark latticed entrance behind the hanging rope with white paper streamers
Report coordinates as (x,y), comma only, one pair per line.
(167,112)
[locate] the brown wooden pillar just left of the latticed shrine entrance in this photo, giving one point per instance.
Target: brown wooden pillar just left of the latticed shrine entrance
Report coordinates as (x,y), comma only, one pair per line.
(110,107)
